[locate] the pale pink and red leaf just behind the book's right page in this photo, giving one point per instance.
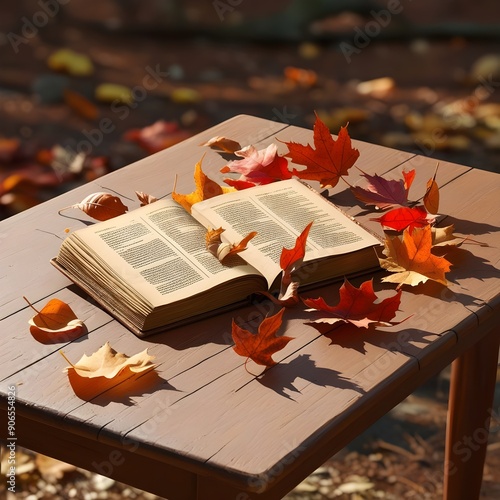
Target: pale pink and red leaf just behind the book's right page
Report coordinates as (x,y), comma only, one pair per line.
(257,167)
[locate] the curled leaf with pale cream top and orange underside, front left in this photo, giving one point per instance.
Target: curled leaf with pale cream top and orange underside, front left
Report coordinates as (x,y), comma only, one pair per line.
(105,369)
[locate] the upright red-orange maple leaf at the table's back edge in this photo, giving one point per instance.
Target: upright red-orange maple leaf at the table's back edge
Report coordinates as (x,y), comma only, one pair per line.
(330,158)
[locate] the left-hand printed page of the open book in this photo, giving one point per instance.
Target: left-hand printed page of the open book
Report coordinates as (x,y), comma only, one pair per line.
(158,250)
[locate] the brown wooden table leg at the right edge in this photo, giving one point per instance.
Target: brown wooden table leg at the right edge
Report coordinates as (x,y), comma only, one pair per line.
(473,378)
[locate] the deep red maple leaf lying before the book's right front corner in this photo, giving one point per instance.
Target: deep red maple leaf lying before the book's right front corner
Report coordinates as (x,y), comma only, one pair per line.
(358,306)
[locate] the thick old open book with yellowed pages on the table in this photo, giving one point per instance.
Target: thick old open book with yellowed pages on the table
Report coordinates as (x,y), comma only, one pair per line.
(150,269)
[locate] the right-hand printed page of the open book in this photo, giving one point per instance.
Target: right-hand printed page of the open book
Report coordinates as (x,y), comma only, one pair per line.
(279,212)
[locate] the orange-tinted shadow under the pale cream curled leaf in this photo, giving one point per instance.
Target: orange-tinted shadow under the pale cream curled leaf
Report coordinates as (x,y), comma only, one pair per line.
(102,391)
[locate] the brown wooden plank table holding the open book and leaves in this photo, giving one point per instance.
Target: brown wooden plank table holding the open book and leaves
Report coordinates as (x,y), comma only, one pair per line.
(205,428)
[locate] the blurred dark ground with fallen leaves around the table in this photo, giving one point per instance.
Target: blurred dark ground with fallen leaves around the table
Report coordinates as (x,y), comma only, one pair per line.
(88,87)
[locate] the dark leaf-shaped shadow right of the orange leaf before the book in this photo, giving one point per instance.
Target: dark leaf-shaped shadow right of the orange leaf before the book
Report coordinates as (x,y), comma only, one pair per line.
(280,377)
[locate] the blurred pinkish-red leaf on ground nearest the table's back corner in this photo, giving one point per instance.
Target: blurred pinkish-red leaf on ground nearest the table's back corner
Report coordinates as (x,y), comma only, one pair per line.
(158,136)
